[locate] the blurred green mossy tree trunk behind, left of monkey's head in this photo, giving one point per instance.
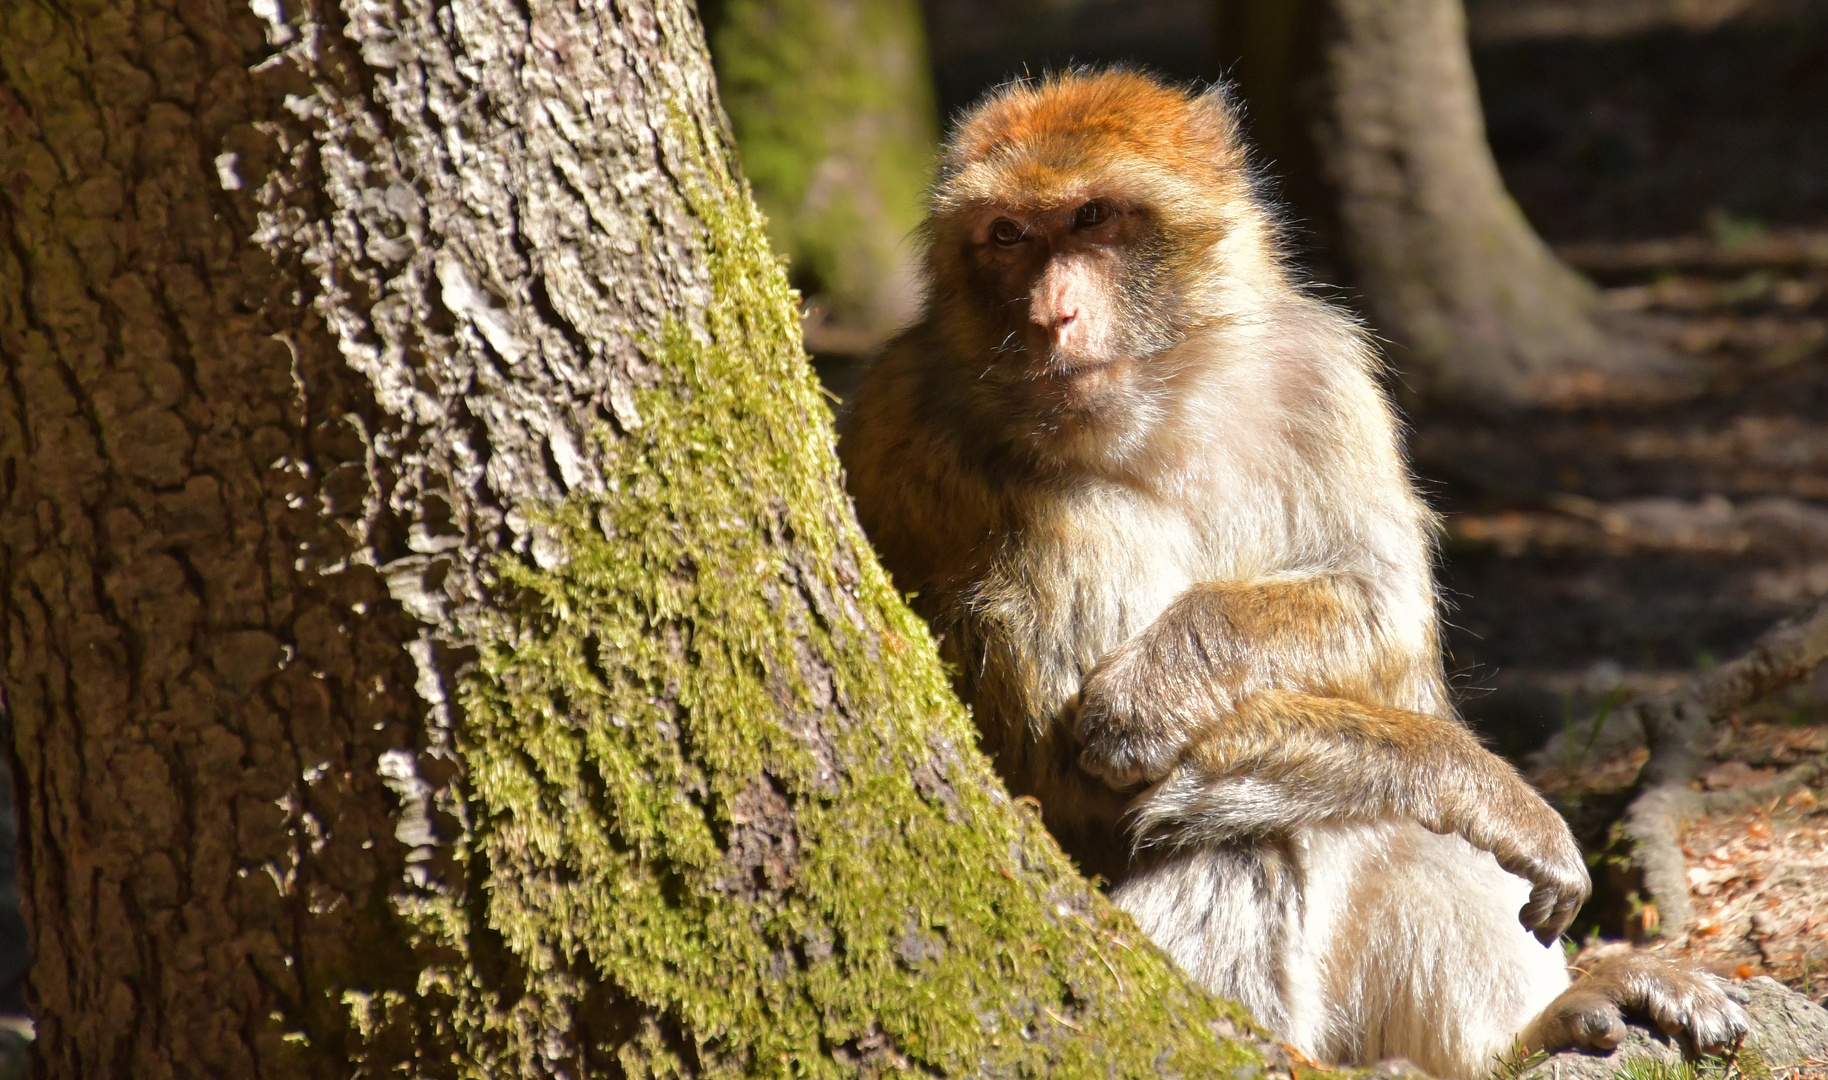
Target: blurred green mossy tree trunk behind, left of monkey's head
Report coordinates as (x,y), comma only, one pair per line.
(834,116)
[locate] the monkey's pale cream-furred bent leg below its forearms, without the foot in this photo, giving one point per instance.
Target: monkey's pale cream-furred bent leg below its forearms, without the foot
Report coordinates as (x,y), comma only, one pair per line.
(1357,942)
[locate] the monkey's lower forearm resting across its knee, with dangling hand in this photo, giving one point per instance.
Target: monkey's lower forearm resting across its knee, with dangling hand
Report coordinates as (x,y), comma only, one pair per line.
(1286,761)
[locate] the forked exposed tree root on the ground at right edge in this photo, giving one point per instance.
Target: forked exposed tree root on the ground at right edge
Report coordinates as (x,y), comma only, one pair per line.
(1677,726)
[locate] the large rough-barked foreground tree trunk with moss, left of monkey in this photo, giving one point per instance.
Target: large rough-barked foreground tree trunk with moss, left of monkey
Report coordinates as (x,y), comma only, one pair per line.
(434,635)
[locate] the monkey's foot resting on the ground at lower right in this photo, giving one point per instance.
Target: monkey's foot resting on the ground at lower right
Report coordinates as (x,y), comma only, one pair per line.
(1619,980)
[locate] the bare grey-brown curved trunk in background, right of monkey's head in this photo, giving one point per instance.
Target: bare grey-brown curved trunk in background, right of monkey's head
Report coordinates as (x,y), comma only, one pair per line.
(1370,112)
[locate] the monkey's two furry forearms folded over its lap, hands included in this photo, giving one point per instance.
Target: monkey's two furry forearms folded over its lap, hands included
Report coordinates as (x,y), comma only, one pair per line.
(1273,704)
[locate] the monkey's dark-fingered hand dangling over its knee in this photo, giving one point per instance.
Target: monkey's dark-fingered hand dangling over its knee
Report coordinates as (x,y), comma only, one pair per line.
(1531,842)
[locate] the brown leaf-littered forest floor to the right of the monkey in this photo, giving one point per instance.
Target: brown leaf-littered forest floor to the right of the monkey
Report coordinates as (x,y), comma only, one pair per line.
(1608,553)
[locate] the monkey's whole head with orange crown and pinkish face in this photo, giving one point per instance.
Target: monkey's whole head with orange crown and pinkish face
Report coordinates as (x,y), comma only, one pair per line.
(1083,229)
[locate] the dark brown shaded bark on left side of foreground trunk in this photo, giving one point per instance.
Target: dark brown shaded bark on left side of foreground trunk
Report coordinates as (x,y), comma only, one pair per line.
(198,708)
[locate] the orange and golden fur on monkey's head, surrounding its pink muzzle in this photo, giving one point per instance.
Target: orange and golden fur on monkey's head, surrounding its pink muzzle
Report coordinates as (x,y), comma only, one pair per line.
(1198,248)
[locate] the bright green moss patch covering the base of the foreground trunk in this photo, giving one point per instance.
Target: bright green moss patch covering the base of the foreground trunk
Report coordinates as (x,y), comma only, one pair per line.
(650,818)
